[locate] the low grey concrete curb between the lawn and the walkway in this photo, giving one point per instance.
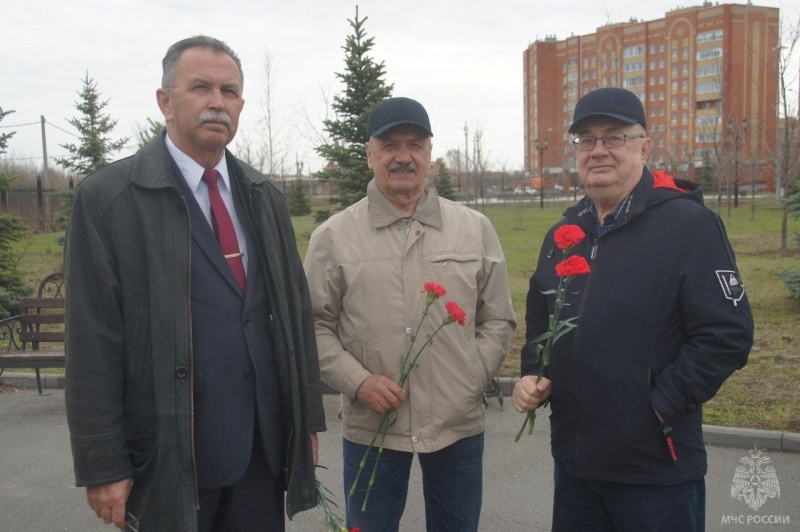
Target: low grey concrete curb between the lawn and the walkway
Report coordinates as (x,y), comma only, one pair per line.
(712,434)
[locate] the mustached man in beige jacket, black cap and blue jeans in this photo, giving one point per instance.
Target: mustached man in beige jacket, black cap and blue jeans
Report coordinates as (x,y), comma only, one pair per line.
(366,267)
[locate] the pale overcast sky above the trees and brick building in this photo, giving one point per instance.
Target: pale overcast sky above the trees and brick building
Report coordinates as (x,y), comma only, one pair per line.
(462,59)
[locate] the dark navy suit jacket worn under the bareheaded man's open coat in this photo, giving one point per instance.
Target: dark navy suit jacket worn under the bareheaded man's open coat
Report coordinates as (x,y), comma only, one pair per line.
(235,372)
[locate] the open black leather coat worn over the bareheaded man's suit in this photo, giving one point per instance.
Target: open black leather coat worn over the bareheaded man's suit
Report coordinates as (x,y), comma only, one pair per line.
(127,267)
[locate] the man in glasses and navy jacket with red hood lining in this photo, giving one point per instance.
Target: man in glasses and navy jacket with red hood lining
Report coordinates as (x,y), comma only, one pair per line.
(663,320)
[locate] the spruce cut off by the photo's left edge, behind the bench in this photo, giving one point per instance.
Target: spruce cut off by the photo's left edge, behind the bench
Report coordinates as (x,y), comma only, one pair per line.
(12,229)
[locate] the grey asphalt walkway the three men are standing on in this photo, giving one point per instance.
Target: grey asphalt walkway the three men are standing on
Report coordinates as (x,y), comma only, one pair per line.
(37,493)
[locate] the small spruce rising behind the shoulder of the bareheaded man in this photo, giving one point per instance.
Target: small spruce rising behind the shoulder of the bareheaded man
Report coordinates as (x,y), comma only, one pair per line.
(95,147)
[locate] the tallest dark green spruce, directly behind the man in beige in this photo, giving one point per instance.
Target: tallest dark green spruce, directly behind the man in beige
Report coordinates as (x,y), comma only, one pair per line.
(347,133)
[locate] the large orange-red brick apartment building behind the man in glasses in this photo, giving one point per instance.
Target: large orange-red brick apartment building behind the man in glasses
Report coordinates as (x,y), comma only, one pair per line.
(706,76)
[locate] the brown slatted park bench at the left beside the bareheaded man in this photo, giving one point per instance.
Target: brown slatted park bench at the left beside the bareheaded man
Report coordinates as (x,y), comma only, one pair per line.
(35,337)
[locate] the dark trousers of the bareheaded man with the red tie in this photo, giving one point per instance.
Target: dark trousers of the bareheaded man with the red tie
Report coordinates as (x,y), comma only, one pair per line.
(253,504)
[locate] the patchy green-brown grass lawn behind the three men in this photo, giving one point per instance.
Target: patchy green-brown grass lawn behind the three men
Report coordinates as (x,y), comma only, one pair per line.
(764,394)
